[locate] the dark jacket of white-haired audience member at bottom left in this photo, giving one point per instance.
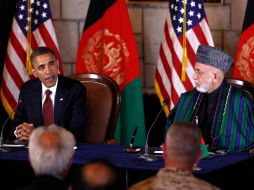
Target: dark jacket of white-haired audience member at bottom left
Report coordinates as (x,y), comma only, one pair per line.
(46,182)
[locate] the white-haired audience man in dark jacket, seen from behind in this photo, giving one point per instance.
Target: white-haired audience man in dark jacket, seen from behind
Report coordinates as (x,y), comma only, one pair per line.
(51,151)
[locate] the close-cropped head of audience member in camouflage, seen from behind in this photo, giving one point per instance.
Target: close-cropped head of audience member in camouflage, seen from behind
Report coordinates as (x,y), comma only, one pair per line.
(182,146)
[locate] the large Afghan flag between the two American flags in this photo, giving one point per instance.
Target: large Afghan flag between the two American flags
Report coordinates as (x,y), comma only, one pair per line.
(107,46)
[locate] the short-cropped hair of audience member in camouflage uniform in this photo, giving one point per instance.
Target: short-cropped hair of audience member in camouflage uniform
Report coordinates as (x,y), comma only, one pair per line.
(183,140)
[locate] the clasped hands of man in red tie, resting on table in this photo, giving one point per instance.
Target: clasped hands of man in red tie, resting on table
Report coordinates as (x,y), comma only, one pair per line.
(23,131)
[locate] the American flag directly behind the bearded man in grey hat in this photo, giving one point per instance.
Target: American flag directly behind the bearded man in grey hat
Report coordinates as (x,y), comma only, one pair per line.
(168,82)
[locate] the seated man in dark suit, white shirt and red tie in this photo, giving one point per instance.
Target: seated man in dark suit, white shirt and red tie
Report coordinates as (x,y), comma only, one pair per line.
(66,102)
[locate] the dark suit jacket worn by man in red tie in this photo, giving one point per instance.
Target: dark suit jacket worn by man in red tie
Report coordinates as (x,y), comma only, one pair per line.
(69,108)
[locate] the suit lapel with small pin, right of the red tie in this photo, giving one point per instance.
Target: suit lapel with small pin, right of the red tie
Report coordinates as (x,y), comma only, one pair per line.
(60,98)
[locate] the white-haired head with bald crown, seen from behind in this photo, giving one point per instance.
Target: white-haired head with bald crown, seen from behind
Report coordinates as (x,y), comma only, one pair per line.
(51,150)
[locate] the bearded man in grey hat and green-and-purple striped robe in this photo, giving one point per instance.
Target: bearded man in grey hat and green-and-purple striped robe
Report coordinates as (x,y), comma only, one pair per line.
(224,113)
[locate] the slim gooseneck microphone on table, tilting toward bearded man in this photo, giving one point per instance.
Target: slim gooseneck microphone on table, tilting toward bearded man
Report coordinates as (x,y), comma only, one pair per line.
(146,156)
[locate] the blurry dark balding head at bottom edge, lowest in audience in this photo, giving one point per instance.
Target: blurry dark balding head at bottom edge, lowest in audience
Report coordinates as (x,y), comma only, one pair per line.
(96,175)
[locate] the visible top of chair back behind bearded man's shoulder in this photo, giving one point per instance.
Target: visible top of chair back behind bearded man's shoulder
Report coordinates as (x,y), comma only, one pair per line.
(247,87)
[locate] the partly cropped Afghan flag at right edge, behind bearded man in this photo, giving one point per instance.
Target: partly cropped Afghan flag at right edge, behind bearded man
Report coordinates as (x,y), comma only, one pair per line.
(244,61)
